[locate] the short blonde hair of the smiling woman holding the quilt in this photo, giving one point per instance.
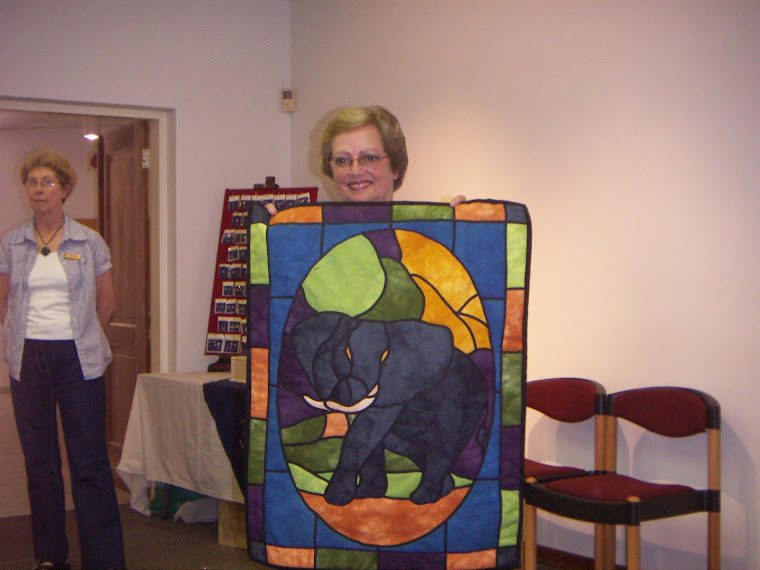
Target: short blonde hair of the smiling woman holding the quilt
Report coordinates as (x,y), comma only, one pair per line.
(352,118)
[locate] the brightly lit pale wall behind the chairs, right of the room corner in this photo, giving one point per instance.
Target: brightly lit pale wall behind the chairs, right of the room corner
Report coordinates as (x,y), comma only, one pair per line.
(631,130)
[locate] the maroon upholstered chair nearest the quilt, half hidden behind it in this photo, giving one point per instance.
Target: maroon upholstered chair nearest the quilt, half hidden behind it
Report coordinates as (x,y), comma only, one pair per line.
(568,400)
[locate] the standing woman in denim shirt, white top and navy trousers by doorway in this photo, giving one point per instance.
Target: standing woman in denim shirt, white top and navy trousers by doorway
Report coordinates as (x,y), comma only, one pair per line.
(56,297)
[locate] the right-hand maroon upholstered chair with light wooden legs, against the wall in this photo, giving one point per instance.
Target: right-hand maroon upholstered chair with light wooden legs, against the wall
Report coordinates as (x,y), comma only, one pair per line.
(616,499)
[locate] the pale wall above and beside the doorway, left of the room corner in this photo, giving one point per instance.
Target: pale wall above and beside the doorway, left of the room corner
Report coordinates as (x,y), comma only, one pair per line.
(219,64)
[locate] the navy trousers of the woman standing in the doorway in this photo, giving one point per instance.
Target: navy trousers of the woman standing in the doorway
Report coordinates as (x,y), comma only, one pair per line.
(52,376)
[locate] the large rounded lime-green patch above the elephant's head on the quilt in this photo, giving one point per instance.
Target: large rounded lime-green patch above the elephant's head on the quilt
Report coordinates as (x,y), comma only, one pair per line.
(348,279)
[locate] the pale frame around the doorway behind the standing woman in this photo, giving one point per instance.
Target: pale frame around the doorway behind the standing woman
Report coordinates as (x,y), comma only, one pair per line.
(161,208)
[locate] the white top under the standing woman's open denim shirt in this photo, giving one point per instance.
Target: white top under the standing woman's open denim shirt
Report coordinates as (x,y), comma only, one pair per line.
(49,316)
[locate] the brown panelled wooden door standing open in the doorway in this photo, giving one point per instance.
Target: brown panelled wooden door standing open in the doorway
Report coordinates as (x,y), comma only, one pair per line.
(124,225)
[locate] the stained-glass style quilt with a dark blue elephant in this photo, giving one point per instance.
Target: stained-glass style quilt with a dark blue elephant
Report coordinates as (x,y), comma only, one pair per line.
(387,369)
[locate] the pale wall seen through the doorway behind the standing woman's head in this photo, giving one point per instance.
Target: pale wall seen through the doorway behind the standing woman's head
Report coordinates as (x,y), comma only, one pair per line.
(14,146)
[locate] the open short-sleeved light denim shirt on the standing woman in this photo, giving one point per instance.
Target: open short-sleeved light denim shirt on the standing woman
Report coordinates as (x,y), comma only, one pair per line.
(84,256)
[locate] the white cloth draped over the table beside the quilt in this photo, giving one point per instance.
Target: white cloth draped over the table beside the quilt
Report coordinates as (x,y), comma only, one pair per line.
(172,438)
